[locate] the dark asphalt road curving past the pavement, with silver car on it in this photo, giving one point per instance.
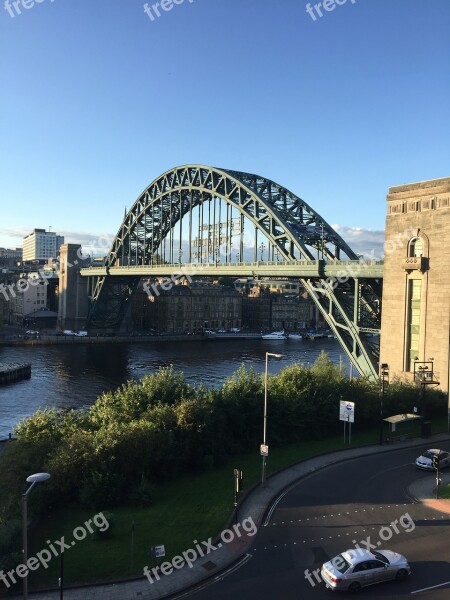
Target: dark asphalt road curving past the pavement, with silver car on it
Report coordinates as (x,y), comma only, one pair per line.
(361,501)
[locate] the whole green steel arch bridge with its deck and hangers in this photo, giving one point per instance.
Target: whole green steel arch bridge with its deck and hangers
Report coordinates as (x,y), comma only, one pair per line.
(345,290)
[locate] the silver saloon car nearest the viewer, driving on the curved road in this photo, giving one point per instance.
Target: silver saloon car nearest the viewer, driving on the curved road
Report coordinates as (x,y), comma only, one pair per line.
(356,568)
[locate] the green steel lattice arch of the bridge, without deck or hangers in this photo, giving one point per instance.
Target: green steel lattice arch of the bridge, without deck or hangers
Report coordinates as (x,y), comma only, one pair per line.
(351,307)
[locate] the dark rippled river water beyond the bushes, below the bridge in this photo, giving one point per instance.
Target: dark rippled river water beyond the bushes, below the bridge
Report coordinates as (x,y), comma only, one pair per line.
(74,376)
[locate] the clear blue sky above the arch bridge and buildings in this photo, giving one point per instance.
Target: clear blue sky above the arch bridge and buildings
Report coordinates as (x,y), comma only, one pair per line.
(98,98)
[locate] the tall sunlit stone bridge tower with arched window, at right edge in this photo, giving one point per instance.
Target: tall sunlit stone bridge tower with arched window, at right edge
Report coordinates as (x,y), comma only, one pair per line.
(415,327)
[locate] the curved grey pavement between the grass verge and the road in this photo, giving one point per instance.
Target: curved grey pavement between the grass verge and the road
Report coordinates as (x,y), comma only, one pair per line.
(231,549)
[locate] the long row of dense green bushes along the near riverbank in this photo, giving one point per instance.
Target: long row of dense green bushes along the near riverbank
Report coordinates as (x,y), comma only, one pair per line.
(158,428)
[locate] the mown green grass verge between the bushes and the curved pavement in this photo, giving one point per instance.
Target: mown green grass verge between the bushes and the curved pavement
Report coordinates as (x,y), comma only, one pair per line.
(194,507)
